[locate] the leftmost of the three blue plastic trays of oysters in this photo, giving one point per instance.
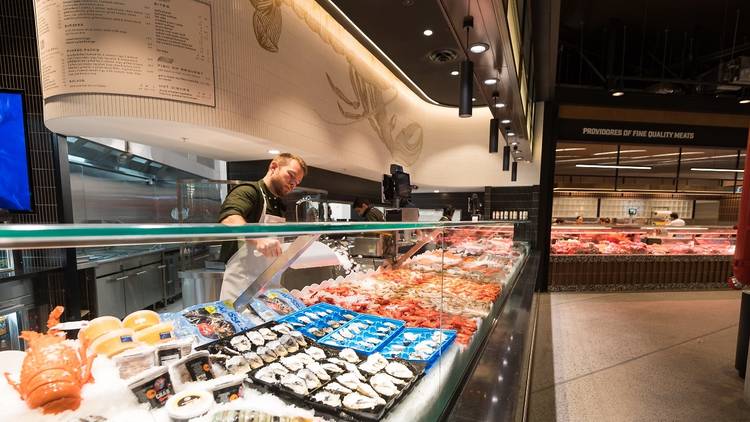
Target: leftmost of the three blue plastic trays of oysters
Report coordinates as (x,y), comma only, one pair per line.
(319,320)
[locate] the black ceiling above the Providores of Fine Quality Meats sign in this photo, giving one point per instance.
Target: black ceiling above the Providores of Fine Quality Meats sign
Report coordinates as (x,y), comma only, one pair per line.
(665,46)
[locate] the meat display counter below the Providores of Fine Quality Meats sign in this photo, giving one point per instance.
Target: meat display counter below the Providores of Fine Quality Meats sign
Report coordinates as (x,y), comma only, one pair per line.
(628,258)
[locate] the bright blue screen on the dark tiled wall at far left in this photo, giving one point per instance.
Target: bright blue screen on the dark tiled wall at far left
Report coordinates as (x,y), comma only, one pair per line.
(15,189)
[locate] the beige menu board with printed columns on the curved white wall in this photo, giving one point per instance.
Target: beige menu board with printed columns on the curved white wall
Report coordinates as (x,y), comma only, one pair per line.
(151,48)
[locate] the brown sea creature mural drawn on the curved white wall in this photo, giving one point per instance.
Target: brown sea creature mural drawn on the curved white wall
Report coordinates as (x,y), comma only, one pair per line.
(369,101)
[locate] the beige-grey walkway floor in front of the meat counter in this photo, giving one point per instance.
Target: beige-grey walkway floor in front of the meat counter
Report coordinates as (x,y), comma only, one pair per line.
(666,356)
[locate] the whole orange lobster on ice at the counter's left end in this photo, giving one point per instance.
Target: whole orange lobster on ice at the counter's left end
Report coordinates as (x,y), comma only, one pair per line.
(53,372)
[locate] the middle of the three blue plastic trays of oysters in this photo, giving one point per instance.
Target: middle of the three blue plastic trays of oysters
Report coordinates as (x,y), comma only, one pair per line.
(365,334)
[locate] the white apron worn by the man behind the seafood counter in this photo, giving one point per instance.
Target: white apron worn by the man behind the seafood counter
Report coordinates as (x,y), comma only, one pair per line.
(246,264)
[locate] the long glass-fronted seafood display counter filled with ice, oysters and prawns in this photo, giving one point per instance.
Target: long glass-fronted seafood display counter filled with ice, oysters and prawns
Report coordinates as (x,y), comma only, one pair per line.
(395,343)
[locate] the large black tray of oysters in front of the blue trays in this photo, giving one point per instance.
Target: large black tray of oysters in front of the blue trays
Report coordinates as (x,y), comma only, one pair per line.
(339,383)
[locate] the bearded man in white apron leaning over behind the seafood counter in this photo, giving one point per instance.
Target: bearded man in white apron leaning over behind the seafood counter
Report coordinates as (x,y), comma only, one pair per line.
(257,202)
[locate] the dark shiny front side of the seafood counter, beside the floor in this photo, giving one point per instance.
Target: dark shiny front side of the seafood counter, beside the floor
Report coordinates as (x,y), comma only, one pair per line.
(496,387)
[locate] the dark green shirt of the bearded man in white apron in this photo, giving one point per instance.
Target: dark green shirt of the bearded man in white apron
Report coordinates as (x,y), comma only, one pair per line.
(246,200)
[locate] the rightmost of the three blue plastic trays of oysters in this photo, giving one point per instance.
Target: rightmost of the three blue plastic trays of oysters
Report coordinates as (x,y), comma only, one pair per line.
(406,345)
